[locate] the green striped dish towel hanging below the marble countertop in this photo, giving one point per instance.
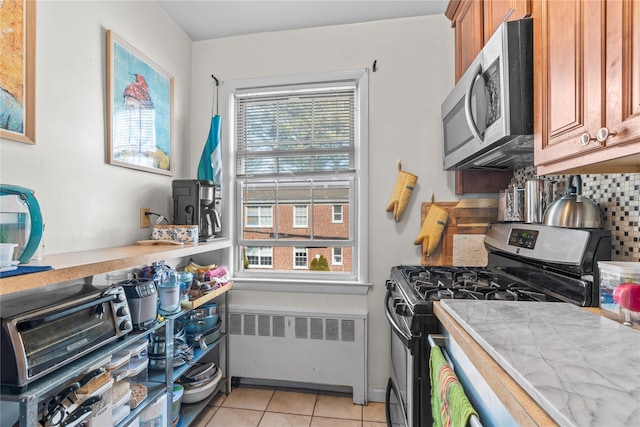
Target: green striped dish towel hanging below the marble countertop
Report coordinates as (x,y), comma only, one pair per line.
(449,404)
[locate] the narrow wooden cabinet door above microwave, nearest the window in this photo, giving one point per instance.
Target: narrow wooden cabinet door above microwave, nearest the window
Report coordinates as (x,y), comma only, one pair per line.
(466,18)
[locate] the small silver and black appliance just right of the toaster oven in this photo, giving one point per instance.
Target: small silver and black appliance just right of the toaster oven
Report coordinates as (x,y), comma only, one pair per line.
(142,298)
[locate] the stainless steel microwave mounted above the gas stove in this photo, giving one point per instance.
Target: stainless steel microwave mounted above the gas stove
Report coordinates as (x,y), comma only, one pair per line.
(487,118)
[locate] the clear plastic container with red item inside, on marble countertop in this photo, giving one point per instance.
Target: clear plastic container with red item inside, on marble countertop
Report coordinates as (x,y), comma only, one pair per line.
(620,291)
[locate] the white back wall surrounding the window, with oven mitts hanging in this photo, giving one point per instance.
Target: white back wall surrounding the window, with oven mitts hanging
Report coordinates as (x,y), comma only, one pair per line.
(414,74)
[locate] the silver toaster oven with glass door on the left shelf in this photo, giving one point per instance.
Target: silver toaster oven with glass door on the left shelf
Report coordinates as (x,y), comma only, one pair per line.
(41,333)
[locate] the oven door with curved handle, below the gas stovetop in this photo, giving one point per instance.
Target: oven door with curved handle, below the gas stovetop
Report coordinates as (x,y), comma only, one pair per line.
(401,398)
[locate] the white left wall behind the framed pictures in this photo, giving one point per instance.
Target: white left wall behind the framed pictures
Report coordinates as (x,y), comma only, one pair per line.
(87,203)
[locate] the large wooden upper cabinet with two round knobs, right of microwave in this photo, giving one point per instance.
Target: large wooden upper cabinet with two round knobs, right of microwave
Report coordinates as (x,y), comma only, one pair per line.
(586,83)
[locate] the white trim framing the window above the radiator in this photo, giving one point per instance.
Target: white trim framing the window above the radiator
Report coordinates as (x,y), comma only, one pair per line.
(338,284)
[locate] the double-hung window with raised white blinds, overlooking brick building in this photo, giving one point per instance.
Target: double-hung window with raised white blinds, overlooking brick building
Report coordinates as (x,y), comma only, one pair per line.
(300,170)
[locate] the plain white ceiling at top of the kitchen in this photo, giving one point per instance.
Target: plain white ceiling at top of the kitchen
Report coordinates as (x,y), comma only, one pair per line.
(211,19)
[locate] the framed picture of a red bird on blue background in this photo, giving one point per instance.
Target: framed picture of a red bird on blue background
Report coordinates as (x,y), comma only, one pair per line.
(139,108)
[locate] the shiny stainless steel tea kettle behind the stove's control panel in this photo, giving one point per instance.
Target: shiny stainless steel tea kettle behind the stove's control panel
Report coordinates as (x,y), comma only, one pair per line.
(573,210)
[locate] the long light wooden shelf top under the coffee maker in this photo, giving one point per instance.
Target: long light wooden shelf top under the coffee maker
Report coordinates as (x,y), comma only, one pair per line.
(78,265)
